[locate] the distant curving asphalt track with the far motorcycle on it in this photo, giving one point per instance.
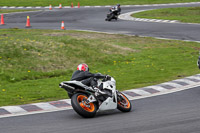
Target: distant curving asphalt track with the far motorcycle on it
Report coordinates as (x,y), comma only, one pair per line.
(94,19)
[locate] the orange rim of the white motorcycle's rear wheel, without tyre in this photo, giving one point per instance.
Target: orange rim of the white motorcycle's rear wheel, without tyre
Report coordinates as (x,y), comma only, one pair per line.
(88,107)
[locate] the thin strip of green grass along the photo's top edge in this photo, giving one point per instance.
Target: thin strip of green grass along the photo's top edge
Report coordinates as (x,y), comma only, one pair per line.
(85,2)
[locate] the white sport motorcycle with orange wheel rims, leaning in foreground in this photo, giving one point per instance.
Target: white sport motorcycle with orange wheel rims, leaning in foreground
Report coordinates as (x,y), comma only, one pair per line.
(87,101)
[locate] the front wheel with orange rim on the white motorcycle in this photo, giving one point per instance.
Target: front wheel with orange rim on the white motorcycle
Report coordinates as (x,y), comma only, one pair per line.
(123,103)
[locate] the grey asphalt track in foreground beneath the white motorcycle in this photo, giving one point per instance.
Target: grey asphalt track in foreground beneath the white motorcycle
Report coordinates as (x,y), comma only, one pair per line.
(172,113)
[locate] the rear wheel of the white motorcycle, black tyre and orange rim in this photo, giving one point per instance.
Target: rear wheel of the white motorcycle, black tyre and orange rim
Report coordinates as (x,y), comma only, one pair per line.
(79,104)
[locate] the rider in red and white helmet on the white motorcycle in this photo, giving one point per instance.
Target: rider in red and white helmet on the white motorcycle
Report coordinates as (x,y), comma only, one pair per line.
(82,74)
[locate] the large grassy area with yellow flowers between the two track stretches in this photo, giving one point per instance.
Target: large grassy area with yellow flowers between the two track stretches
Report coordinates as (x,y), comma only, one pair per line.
(34,62)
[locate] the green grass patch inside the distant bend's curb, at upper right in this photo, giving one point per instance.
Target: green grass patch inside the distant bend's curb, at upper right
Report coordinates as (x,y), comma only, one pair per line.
(183,14)
